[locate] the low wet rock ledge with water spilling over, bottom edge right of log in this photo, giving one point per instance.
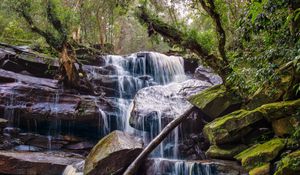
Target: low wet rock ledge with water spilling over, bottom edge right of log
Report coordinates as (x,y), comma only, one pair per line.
(171,166)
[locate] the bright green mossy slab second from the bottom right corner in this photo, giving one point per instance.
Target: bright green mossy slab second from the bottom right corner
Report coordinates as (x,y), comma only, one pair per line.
(260,154)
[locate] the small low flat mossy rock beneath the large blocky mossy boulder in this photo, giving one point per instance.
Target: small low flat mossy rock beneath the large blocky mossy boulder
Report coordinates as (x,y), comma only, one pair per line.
(224,151)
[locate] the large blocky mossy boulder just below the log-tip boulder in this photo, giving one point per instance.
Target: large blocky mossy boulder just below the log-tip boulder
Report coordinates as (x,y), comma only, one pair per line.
(231,127)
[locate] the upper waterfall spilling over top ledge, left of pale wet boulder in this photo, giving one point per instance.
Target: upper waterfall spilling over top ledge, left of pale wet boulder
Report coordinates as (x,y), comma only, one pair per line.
(135,72)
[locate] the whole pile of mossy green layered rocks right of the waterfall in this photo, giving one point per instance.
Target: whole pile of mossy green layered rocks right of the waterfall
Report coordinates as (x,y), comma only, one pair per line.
(257,137)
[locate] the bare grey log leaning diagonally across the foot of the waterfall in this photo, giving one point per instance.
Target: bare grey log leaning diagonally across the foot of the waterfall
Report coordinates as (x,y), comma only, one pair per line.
(134,166)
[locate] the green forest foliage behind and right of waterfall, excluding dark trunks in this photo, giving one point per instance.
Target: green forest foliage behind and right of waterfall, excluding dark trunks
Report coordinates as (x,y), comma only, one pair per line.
(262,36)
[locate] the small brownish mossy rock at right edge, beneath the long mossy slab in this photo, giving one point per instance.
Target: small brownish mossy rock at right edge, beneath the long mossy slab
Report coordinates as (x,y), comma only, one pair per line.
(285,126)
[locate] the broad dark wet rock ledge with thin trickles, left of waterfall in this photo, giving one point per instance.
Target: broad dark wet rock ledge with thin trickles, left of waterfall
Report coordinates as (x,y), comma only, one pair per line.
(36,102)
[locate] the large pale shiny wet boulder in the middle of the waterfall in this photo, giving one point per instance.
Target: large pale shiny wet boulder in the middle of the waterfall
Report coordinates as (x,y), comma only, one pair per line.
(160,104)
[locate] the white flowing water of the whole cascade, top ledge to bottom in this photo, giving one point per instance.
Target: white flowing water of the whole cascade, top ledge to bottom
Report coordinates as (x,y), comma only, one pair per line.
(133,73)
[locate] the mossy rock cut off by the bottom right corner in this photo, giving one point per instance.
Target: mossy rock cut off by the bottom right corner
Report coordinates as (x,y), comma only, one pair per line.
(290,164)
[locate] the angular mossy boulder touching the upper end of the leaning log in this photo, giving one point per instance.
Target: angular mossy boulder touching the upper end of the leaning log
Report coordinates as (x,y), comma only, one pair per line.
(215,101)
